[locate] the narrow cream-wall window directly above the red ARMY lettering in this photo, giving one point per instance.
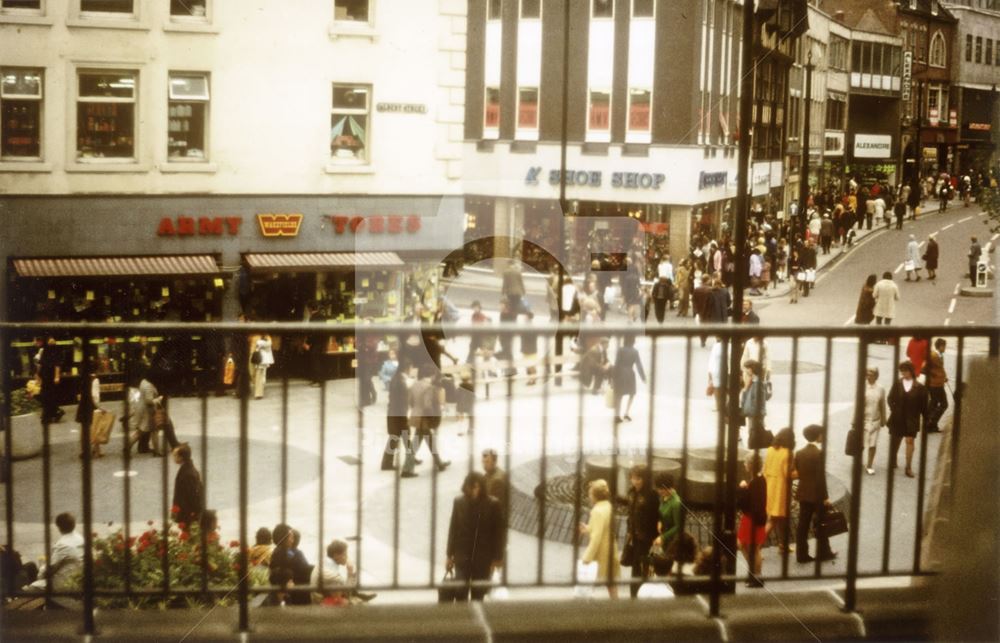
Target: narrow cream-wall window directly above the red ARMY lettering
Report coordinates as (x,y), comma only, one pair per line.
(187,117)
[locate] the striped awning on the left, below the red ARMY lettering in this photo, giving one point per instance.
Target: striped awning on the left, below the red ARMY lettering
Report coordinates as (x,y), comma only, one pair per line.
(117,266)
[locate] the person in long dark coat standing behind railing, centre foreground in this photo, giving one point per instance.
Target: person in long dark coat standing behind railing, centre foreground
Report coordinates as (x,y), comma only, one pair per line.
(476,536)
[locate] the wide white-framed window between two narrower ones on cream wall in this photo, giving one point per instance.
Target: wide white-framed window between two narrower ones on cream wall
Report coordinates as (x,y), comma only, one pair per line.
(105,114)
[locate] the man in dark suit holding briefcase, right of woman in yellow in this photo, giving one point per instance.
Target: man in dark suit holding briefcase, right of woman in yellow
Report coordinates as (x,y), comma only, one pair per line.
(812,496)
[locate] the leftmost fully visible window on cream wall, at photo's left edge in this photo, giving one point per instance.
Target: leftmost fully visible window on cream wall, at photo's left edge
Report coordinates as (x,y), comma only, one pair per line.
(21,109)
